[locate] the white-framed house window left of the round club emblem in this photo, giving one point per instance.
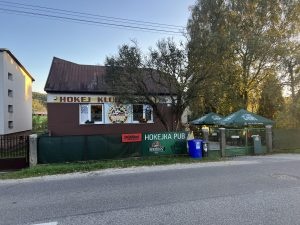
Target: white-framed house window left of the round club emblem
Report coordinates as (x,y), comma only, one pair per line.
(91,113)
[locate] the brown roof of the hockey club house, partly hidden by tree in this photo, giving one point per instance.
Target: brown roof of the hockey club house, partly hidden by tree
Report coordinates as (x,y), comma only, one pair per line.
(69,77)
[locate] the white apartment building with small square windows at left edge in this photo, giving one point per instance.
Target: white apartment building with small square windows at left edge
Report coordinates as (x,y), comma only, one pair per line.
(15,95)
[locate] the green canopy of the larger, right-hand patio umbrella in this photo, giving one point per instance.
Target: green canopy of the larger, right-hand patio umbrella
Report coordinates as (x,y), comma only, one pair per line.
(244,118)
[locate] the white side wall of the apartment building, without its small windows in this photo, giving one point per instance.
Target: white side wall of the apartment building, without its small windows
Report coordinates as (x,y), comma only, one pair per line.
(21,85)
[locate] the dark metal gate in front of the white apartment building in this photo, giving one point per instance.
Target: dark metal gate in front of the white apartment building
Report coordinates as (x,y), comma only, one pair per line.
(14,152)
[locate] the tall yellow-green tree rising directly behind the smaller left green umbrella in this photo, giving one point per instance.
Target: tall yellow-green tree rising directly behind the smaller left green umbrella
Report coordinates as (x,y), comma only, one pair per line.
(210,56)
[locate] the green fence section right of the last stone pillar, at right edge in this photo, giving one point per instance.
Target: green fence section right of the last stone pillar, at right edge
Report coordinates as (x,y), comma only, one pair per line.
(285,139)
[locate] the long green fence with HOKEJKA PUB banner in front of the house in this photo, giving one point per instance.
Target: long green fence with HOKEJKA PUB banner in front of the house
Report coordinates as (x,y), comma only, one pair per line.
(82,148)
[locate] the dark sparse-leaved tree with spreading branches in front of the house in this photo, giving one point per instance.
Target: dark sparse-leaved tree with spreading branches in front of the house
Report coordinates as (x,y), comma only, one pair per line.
(149,78)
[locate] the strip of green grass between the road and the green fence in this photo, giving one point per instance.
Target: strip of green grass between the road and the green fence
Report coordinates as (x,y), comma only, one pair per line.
(52,169)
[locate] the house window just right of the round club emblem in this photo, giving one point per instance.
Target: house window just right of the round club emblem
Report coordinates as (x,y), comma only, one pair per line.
(142,113)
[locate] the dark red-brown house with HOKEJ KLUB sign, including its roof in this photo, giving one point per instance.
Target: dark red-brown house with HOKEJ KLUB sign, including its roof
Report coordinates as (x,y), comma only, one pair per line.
(79,103)
